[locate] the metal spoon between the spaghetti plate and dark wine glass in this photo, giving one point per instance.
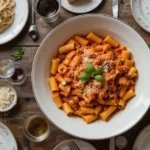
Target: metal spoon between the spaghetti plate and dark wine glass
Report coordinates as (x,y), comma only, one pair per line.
(33,33)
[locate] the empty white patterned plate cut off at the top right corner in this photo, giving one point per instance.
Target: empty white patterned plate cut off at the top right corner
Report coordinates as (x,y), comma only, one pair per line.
(141,13)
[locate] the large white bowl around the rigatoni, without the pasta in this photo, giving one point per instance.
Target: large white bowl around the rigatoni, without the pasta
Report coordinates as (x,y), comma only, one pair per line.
(101,25)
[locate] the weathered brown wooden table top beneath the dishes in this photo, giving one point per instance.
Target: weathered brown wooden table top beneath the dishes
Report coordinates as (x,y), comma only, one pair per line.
(27,105)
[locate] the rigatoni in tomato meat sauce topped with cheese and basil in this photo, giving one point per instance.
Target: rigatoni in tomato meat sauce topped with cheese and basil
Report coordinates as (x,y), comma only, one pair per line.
(92,77)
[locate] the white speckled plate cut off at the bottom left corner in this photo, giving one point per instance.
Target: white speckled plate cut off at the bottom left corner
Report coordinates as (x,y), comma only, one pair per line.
(7,140)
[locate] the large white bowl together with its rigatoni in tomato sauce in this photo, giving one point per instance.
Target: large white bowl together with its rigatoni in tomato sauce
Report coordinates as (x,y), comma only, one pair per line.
(135,57)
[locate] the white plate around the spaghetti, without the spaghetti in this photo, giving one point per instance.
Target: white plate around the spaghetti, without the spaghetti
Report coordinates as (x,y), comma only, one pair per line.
(20,19)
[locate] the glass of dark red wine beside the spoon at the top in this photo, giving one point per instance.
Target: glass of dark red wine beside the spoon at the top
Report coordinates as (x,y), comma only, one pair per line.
(47,9)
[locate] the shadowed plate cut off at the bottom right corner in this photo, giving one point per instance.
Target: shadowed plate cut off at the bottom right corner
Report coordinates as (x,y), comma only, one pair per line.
(142,141)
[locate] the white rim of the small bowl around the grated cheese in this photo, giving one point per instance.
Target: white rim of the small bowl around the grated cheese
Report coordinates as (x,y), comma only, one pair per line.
(15,96)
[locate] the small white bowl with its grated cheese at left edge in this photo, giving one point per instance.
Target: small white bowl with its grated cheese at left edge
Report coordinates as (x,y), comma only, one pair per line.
(8,97)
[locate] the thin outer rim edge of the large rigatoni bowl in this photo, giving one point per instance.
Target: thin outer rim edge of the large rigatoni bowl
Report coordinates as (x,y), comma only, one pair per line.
(35,59)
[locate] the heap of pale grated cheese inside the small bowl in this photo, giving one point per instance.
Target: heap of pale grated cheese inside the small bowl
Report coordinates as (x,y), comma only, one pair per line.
(6,97)
